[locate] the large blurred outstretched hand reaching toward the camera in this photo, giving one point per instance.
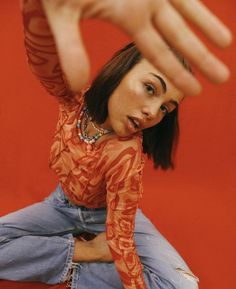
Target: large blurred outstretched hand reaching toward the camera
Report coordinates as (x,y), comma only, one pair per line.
(151,24)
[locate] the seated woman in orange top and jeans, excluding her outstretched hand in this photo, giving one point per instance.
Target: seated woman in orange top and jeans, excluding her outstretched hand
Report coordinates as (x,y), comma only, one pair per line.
(98,156)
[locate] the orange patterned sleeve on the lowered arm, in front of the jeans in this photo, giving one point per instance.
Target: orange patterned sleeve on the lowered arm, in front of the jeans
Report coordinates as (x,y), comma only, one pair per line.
(124,189)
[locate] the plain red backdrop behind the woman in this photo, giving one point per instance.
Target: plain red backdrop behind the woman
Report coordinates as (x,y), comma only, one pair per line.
(193,206)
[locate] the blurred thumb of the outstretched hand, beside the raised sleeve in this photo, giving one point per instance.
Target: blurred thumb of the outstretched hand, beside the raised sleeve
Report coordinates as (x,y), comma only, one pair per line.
(72,54)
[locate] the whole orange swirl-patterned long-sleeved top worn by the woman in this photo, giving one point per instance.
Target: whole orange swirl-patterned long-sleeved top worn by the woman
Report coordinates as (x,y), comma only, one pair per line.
(109,175)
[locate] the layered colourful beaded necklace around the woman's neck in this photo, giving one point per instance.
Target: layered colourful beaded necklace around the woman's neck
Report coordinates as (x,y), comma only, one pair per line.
(82,125)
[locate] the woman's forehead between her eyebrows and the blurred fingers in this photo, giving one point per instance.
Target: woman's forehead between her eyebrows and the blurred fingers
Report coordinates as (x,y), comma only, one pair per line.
(145,69)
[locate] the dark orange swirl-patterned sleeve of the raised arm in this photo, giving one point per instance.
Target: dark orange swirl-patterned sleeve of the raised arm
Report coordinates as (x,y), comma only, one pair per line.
(42,54)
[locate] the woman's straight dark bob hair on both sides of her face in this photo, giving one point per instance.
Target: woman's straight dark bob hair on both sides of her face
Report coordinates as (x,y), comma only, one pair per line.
(159,141)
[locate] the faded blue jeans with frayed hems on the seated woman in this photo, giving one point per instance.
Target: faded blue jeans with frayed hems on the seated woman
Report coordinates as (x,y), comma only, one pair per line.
(36,244)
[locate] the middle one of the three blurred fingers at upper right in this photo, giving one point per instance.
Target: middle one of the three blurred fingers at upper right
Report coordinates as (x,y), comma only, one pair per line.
(179,35)
